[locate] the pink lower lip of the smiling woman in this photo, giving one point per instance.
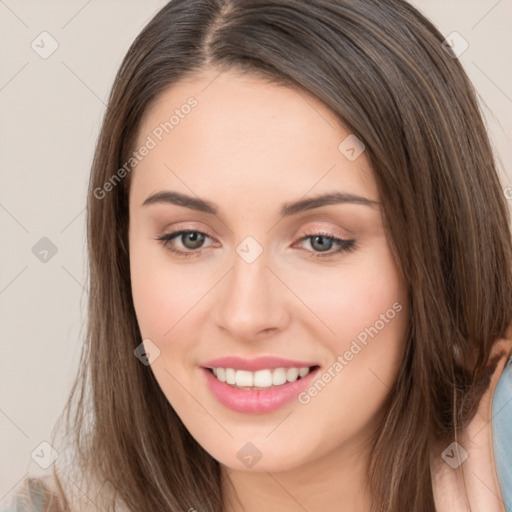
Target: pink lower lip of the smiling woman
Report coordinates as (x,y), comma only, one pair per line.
(257,401)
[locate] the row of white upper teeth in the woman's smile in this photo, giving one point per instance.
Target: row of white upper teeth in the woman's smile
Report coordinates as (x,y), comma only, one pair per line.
(260,378)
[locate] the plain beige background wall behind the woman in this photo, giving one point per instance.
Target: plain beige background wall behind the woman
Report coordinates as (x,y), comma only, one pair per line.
(51,109)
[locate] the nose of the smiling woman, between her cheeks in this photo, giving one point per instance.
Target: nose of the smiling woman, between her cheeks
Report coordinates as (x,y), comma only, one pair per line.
(250,302)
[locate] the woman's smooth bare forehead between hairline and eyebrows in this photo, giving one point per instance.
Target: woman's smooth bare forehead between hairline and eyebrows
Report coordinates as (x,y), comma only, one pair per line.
(226,132)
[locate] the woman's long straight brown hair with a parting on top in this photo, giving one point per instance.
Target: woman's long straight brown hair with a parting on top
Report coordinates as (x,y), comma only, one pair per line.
(380,66)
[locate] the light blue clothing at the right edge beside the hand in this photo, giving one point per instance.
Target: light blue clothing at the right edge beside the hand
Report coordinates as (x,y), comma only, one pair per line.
(502,433)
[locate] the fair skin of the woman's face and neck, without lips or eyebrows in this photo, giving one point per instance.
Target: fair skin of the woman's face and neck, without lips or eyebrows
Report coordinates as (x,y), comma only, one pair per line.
(249,147)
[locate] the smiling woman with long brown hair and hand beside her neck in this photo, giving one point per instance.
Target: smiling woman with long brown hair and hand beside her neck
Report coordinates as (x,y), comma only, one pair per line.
(296,227)
